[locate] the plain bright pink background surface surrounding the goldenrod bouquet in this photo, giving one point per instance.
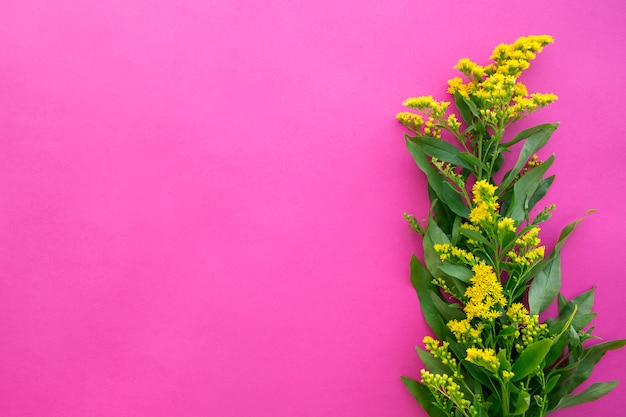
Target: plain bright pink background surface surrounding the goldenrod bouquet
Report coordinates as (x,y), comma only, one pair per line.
(201,201)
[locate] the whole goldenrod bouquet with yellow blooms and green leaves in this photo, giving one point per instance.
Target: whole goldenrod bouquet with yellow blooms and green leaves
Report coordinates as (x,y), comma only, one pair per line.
(486,277)
